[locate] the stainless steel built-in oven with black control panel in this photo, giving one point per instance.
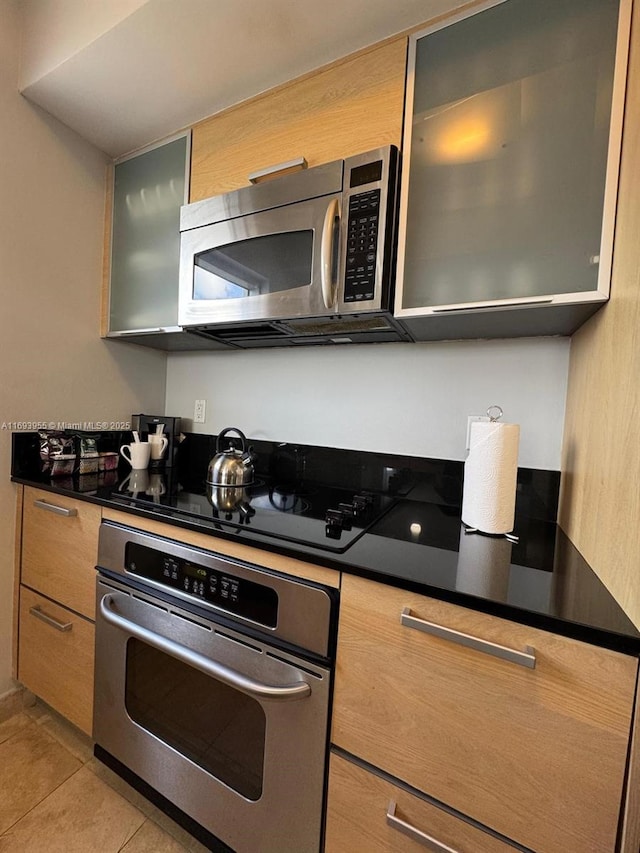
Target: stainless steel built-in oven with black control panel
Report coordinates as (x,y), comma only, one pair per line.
(212,686)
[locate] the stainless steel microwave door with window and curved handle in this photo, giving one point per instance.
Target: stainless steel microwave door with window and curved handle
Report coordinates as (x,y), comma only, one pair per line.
(273,265)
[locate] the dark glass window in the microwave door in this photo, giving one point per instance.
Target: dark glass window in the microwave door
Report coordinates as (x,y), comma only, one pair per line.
(254,267)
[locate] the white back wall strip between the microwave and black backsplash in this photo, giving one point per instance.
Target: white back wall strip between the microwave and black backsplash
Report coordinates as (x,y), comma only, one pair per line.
(399,398)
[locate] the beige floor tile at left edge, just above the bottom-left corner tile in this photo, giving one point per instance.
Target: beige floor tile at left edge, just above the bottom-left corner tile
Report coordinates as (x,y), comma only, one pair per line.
(32,765)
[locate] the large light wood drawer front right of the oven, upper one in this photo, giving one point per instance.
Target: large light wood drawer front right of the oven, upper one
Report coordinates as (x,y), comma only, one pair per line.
(537,755)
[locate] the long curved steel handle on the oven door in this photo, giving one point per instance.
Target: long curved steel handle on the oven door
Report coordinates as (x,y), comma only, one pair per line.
(222,673)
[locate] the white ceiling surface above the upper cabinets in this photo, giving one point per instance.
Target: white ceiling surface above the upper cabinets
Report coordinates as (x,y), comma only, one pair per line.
(160,65)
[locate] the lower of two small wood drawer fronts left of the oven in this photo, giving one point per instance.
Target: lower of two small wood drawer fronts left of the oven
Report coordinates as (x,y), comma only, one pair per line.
(55,657)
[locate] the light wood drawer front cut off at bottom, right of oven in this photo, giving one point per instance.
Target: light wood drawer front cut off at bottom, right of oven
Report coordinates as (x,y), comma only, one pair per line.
(368,814)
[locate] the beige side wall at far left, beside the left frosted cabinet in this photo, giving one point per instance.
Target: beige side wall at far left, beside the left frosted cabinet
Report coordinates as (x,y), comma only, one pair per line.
(53,365)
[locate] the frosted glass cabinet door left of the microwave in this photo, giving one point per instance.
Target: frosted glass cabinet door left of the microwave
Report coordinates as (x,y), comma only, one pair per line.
(149,189)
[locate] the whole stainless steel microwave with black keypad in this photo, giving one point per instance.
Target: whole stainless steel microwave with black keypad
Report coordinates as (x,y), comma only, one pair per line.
(304,258)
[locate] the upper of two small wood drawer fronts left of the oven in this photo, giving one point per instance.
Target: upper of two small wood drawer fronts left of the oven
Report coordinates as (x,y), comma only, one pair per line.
(59,551)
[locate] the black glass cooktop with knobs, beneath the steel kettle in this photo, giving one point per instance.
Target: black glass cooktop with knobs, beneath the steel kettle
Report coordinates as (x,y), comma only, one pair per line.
(309,514)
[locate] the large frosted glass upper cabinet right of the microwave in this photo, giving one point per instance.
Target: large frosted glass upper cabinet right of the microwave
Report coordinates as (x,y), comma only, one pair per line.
(511,152)
